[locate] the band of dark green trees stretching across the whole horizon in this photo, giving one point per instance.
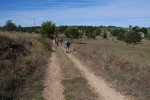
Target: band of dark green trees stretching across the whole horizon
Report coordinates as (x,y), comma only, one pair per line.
(49,29)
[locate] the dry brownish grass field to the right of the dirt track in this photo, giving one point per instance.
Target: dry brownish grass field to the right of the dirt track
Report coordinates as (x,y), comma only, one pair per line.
(125,67)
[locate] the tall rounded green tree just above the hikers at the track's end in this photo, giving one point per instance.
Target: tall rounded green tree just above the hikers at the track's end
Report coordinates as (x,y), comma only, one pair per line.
(48,29)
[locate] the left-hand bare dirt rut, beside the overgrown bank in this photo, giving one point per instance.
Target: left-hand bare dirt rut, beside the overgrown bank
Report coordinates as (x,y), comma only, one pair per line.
(54,88)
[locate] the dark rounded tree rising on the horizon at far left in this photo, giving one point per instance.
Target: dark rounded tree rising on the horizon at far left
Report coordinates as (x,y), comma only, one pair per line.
(10,26)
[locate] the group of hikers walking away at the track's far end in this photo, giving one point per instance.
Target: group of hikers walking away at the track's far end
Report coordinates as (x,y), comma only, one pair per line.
(59,41)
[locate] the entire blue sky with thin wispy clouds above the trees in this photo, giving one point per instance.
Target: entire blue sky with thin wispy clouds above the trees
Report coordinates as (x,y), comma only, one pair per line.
(76,12)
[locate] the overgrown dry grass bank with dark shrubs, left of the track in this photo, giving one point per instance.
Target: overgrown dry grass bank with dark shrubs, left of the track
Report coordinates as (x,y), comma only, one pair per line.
(23,59)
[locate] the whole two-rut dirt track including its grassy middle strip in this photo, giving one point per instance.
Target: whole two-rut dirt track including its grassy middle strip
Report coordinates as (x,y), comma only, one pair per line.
(97,87)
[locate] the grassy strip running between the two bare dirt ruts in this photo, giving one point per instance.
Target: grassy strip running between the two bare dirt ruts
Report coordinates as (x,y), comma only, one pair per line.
(76,86)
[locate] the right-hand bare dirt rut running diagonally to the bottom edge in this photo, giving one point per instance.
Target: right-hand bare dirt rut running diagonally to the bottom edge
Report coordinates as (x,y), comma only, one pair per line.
(97,83)
